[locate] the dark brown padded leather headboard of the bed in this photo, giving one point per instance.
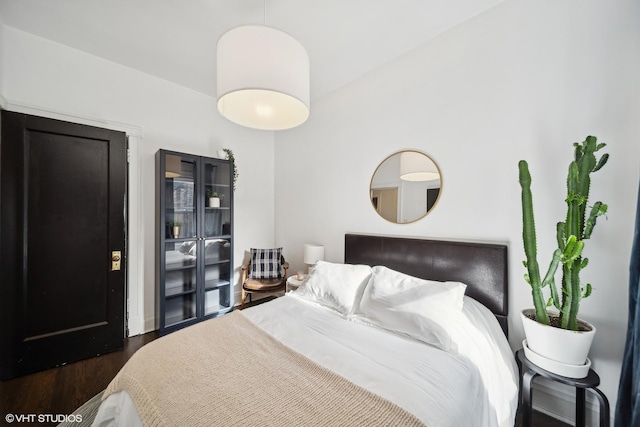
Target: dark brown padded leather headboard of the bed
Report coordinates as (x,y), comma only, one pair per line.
(481,266)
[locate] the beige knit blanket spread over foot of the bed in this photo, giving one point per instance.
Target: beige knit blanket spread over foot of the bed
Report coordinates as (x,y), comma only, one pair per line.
(227,371)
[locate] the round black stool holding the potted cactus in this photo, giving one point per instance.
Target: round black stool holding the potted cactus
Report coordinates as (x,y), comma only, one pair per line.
(528,371)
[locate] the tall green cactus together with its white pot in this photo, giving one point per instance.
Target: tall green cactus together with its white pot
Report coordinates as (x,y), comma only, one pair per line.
(572,333)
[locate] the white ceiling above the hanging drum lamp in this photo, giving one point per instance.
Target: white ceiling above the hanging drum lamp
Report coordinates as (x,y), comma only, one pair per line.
(176,39)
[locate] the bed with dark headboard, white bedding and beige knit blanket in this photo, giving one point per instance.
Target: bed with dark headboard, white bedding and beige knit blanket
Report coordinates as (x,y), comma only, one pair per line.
(404,332)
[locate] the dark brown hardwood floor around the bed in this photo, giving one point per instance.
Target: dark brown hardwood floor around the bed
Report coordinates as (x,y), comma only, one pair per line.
(62,390)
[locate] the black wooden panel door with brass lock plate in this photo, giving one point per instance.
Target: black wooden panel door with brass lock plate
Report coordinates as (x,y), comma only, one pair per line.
(62,213)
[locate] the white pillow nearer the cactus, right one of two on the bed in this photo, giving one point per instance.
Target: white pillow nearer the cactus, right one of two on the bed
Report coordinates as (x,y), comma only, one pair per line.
(411,306)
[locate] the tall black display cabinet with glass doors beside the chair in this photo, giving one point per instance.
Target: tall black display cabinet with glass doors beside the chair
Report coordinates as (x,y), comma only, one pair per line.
(194,239)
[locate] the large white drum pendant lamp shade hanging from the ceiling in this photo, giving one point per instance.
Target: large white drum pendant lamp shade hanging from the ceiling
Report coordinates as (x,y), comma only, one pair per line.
(262,78)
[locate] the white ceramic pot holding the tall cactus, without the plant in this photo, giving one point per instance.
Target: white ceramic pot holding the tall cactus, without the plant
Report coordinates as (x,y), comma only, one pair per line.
(561,345)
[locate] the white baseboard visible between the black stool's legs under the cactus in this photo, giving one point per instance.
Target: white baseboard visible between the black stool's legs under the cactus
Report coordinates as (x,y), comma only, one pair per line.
(558,401)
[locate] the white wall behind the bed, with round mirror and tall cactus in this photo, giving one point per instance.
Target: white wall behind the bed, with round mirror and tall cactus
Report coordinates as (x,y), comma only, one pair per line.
(521,81)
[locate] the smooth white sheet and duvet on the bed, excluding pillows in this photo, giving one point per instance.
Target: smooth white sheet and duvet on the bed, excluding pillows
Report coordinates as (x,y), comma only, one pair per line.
(476,387)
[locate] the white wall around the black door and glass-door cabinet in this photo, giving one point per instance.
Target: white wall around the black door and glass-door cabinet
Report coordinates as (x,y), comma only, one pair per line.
(54,78)
